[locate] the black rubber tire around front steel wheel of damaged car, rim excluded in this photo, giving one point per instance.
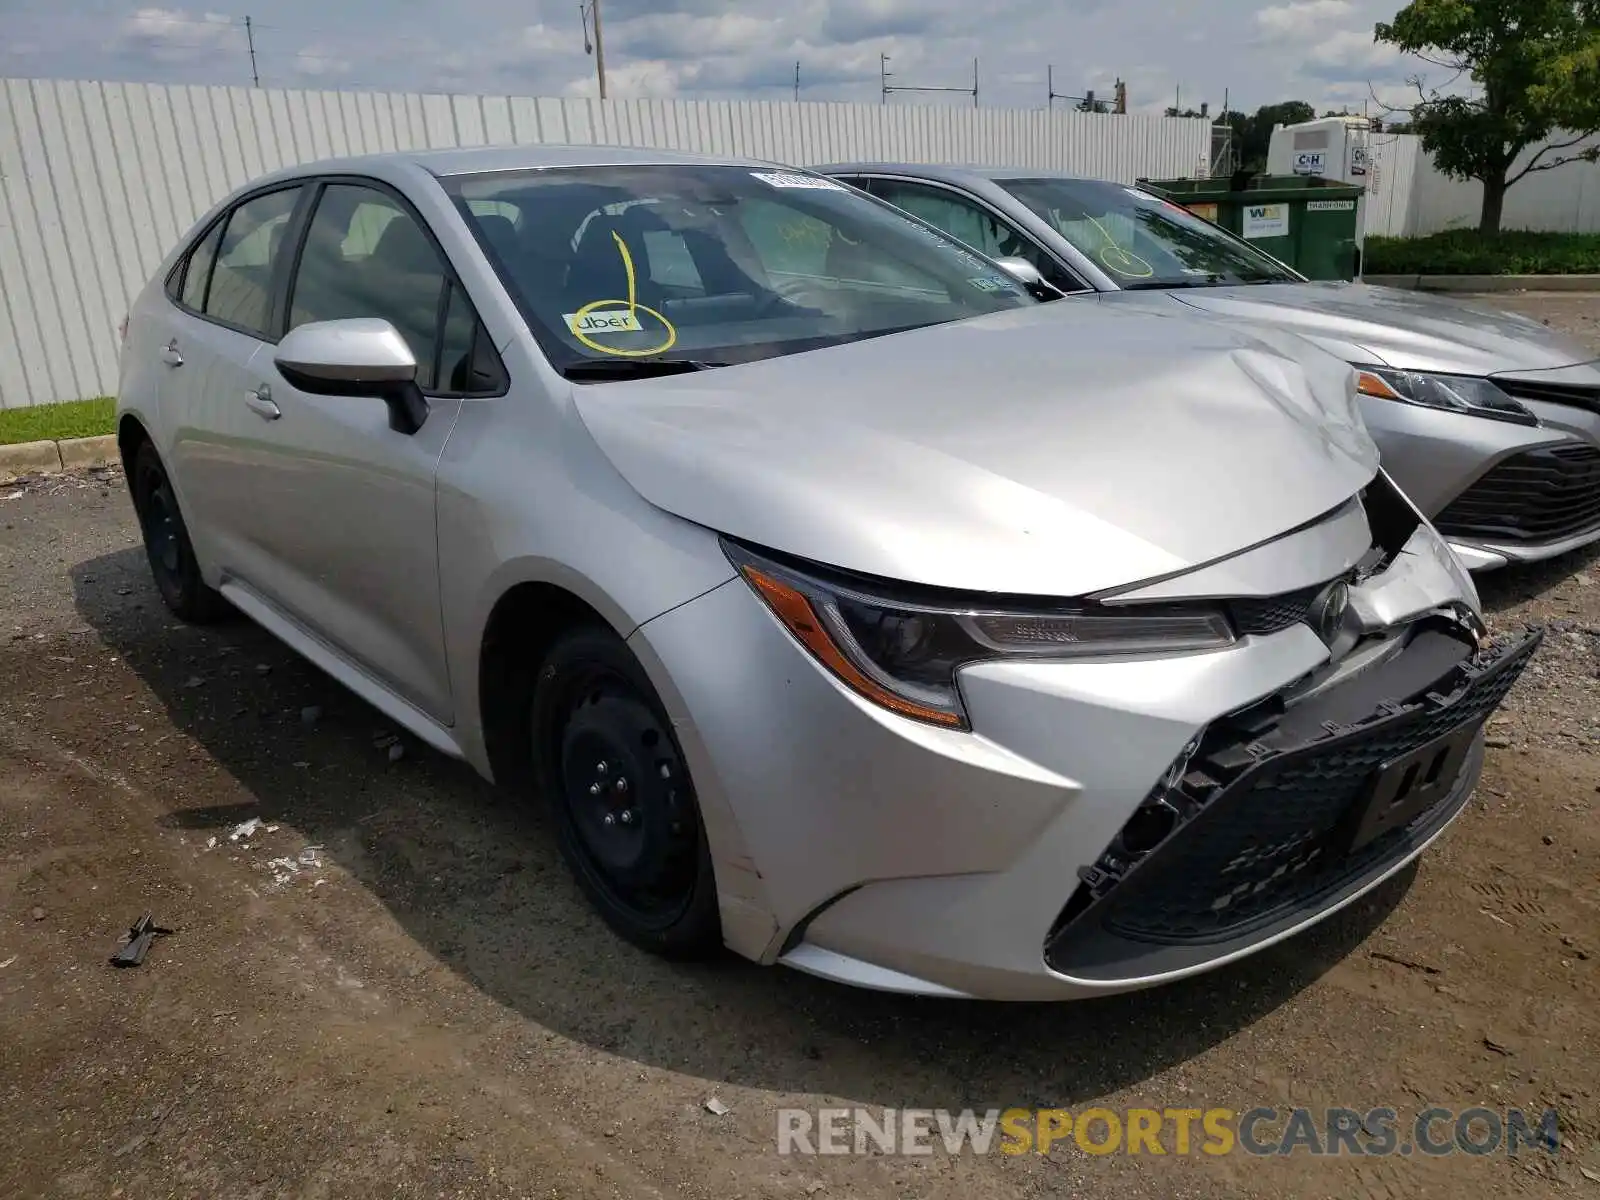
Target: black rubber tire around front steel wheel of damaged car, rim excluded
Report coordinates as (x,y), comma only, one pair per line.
(697,932)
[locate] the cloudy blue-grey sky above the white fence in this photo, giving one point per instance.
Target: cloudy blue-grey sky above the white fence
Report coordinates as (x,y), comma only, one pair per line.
(1314,50)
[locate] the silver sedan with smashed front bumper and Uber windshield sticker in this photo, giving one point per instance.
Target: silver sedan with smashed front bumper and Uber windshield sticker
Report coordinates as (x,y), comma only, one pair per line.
(842,604)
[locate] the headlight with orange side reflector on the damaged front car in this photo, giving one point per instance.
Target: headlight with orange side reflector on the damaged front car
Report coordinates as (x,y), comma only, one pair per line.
(903,655)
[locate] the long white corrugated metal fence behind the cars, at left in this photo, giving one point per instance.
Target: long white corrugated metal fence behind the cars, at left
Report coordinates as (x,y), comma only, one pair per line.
(98,182)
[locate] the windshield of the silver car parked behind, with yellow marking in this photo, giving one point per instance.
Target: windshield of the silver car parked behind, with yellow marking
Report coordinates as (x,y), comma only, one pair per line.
(1142,241)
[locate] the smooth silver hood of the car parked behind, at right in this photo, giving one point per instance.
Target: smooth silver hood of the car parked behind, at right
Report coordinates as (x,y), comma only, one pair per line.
(1409,330)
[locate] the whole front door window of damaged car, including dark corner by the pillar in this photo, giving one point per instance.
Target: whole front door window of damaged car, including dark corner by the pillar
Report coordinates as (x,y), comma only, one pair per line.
(367,255)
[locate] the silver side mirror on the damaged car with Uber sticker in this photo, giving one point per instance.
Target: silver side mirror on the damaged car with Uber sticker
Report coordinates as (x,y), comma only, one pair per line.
(361,356)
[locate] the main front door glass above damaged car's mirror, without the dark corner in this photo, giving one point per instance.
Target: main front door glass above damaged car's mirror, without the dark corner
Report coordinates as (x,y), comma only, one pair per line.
(367,257)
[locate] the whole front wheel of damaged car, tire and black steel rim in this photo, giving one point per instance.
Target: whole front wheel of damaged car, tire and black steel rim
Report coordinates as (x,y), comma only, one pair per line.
(628,822)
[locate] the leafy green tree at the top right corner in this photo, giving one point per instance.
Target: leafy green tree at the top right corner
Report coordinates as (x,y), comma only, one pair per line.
(1537,68)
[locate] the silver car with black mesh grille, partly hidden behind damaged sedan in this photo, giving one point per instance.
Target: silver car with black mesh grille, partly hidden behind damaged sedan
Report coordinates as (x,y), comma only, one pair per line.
(1487,420)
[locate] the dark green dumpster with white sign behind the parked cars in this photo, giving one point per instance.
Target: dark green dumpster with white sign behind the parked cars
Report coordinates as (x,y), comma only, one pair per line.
(1305,222)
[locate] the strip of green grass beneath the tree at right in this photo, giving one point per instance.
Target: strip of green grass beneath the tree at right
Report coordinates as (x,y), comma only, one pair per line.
(1466,252)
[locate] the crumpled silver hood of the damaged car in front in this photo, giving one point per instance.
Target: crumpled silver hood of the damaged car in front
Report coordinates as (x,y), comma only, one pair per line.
(1031,452)
